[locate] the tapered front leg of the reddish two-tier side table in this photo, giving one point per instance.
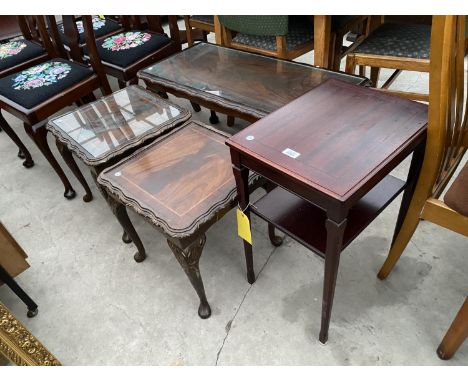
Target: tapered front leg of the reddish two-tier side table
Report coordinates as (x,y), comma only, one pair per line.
(335,232)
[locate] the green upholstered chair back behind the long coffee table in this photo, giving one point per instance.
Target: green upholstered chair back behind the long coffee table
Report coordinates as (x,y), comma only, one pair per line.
(276,25)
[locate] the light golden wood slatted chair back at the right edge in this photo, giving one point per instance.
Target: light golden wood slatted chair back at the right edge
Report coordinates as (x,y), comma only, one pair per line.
(447,126)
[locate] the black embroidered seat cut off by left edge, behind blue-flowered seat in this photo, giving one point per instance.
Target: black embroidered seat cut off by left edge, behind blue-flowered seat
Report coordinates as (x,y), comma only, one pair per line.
(15,52)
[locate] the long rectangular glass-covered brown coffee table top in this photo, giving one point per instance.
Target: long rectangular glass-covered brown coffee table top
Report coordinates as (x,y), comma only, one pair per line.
(249,83)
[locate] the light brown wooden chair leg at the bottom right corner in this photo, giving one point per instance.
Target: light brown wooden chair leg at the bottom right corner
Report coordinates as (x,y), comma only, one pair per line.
(456,334)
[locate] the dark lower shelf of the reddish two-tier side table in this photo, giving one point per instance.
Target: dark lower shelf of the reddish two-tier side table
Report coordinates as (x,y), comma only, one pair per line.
(305,222)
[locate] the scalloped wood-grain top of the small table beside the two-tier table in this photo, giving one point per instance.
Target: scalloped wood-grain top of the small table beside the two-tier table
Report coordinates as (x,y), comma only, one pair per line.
(179,181)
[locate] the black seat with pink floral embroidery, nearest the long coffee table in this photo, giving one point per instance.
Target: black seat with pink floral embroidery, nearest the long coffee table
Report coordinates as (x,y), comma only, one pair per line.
(126,48)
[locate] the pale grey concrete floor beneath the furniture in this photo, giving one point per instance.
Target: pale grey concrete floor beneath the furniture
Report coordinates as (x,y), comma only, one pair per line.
(98,307)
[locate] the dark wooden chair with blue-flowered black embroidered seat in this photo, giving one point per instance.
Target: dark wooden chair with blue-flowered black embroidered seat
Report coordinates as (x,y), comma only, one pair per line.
(39,91)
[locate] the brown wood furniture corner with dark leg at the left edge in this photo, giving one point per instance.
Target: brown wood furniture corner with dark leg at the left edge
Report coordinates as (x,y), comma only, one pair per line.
(12,263)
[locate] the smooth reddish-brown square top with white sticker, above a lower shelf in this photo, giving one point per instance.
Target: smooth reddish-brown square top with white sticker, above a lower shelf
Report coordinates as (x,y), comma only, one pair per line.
(334,138)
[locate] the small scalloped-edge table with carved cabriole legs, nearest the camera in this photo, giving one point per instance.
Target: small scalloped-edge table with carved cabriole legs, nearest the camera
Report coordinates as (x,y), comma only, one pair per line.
(182,183)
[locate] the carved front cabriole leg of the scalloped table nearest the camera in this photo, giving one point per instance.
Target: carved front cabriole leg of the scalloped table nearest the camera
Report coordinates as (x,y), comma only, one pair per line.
(189,258)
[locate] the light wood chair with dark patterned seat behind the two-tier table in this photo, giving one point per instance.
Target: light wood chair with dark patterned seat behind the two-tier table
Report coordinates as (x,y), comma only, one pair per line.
(399,46)
